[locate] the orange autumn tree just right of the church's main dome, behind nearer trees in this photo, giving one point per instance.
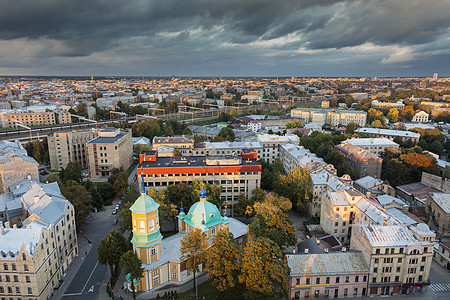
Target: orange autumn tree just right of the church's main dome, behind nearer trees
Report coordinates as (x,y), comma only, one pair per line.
(272,222)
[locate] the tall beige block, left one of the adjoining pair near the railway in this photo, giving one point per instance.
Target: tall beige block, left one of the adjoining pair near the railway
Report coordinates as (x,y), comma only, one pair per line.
(65,147)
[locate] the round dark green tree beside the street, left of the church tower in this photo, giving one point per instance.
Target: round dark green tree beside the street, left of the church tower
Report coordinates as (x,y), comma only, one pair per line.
(111,249)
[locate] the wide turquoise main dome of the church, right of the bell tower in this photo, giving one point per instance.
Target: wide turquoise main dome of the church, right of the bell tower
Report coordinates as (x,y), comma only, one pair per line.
(203,210)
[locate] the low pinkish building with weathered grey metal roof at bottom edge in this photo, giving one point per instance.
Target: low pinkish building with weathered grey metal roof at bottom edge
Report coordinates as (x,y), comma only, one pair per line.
(327,275)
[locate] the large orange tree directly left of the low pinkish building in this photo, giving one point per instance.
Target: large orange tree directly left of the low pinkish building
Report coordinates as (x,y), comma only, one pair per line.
(263,272)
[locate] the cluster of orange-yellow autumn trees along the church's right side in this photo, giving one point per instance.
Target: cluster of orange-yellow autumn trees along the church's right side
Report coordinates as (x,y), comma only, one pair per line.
(257,269)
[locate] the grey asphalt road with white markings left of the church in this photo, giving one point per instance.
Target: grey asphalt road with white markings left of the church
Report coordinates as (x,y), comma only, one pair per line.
(86,283)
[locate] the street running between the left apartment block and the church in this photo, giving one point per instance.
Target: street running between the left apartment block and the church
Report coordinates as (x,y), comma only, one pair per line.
(86,282)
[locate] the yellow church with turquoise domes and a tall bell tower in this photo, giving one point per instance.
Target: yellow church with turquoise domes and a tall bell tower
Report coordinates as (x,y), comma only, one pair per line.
(161,256)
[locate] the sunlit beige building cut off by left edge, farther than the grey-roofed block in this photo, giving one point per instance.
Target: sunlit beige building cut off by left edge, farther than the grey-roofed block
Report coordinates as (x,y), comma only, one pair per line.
(15,165)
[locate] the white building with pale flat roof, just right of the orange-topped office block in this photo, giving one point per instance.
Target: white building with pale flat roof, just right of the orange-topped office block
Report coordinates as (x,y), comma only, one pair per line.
(271,144)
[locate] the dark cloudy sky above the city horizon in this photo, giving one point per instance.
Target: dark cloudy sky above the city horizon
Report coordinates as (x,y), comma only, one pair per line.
(225,37)
